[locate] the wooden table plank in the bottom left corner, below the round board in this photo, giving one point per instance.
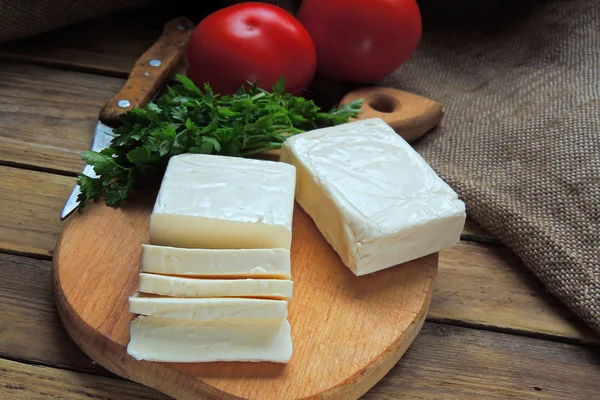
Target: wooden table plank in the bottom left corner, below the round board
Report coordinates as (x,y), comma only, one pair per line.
(24,382)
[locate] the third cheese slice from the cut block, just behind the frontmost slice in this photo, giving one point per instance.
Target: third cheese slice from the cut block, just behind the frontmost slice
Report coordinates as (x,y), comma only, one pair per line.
(207,308)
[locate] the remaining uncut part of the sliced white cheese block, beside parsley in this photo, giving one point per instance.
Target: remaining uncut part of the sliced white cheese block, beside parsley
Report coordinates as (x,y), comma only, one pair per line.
(209,201)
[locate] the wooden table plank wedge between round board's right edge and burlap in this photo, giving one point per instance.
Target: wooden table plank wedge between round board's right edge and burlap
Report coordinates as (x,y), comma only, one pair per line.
(488,286)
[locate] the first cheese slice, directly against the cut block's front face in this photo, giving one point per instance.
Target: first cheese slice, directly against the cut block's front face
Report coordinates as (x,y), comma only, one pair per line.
(264,263)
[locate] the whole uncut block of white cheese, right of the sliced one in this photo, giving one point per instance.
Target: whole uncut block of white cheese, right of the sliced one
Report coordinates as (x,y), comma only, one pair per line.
(372,196)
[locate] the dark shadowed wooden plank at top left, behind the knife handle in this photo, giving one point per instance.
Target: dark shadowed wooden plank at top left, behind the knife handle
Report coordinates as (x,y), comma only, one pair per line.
(107,45)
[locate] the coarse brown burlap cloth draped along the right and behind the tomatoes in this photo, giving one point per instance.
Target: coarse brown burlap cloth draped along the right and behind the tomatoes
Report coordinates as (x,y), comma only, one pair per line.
(520,141)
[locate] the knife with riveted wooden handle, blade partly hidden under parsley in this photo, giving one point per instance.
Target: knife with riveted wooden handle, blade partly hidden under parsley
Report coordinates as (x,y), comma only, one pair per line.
(145,80)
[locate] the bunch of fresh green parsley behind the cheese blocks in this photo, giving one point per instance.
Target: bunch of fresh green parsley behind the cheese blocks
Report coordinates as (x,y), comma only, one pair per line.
(188,120)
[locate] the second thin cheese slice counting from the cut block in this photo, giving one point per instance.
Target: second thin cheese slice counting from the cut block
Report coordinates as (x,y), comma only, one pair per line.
(188,287)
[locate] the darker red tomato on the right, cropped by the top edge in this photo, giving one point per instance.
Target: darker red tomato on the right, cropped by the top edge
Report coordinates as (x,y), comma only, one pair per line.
(361,40)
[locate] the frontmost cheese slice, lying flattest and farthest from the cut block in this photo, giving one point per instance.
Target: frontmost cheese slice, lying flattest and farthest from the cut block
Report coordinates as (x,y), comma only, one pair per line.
(189,340)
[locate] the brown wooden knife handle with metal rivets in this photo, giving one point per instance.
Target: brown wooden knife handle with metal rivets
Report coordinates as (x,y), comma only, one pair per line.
(150,71)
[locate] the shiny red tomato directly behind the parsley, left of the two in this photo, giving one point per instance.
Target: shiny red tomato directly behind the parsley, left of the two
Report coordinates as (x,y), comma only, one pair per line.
(250,42)
